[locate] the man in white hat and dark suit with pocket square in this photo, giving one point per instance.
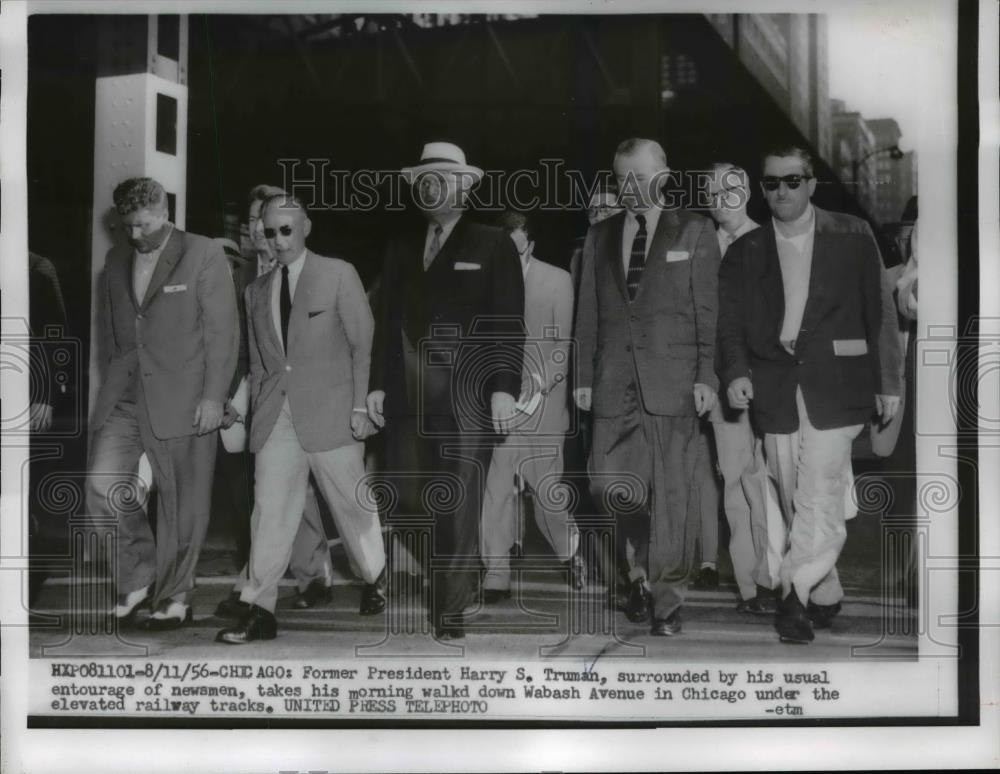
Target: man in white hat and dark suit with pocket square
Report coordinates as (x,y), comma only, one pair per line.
(446,364)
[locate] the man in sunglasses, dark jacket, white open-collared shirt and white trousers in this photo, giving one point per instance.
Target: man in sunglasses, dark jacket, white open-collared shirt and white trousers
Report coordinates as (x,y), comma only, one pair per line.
(802,335)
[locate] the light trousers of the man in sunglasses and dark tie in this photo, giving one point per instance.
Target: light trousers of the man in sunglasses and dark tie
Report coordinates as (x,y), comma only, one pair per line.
(282,469)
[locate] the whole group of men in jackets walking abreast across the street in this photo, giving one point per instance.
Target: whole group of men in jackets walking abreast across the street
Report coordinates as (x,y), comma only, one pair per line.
(775,334)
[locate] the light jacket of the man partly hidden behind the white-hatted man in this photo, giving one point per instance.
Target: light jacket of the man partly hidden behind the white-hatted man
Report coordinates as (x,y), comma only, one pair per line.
(548,322)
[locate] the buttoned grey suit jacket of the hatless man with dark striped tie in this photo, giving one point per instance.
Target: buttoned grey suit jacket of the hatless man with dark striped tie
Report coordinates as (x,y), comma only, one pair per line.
(665,339)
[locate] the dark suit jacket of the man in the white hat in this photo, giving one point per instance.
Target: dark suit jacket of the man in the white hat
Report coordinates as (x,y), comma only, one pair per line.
(465,313)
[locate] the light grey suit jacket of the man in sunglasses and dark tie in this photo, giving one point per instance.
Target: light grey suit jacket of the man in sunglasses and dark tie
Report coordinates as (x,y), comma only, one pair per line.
(324,374)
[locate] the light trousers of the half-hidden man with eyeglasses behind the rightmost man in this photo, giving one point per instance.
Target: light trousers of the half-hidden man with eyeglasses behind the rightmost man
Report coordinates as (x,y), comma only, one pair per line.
(756,528)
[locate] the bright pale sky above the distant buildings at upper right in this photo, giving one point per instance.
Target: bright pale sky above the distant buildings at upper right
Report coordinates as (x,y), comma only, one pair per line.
(877,53)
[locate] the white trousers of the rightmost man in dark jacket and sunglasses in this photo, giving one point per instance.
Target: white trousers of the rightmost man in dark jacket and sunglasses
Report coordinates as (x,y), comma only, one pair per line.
(811,470)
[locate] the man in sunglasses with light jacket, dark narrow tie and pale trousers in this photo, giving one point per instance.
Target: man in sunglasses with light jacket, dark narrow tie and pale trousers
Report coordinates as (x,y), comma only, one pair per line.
(309,332)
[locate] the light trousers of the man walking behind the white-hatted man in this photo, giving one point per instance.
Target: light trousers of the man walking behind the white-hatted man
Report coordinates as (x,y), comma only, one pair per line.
(538,462)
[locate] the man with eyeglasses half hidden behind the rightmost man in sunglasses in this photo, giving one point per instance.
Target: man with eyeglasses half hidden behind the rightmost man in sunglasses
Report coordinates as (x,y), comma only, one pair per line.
(739,450)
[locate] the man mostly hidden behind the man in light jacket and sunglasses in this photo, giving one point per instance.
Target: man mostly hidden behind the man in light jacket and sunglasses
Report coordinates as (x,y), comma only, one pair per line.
(310,561)
